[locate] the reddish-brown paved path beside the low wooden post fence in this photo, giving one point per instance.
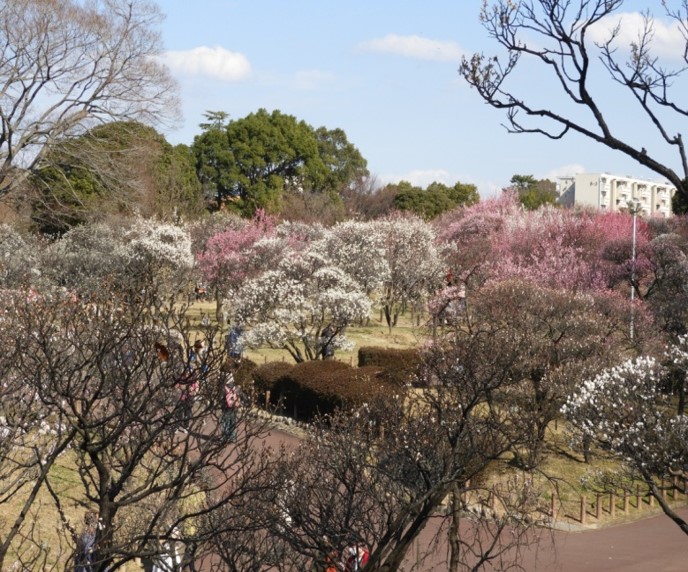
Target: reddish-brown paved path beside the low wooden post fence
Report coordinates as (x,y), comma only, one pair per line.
(652,544)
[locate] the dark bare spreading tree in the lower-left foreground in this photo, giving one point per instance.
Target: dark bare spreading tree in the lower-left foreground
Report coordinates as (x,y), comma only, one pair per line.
(127,409)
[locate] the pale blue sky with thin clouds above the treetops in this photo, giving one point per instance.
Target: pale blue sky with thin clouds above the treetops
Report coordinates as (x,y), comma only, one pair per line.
(386,73)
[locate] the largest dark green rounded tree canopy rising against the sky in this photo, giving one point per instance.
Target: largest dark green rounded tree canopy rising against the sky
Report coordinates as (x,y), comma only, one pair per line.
(248,163)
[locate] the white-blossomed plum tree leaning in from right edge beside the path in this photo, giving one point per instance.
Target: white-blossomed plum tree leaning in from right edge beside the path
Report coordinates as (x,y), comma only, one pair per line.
(624,410)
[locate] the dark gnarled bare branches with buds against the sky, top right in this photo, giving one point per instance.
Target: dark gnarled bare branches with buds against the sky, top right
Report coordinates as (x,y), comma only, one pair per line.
(560,36)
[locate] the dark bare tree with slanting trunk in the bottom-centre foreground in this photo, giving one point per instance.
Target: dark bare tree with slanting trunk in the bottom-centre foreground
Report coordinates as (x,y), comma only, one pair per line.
(386,473)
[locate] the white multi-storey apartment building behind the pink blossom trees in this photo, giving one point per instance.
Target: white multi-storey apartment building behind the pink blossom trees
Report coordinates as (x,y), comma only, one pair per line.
(613,193)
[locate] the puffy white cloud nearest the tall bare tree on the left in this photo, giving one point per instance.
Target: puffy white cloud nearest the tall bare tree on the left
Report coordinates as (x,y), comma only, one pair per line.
(215,63)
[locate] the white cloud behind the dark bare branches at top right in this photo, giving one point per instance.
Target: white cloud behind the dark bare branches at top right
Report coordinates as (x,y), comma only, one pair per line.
(667,41)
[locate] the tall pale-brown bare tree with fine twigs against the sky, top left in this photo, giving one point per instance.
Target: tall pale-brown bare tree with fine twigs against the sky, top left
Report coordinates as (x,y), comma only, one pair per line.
(67,65)
